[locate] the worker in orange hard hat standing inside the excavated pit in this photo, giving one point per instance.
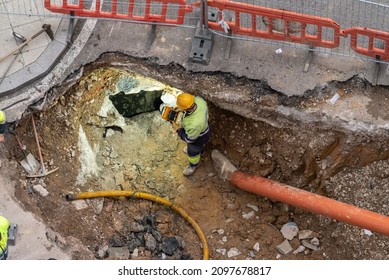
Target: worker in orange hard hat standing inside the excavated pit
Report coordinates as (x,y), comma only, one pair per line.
(195,130)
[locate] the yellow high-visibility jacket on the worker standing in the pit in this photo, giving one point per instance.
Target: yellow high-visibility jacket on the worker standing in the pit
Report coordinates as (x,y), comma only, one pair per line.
(195,123)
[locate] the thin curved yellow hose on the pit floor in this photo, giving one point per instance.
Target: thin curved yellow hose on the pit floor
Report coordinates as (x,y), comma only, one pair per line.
(160,200)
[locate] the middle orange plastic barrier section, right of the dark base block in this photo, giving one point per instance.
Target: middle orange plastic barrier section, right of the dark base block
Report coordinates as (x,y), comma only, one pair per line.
(288,20)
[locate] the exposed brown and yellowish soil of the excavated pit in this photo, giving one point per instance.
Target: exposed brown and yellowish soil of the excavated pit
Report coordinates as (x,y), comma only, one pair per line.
(147,156)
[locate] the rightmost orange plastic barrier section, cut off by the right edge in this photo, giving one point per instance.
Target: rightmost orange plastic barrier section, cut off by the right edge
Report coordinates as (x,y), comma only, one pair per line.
(372,36)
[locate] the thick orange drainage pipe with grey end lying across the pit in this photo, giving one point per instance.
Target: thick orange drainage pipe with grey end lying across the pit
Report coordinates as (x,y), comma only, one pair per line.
(294,196)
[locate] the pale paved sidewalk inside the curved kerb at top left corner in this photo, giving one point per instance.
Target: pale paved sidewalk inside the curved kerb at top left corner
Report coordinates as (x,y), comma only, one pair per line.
(19,67)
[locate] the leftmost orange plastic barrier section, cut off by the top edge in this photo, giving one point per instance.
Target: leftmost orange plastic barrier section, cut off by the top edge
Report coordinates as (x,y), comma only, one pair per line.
(171,11)
